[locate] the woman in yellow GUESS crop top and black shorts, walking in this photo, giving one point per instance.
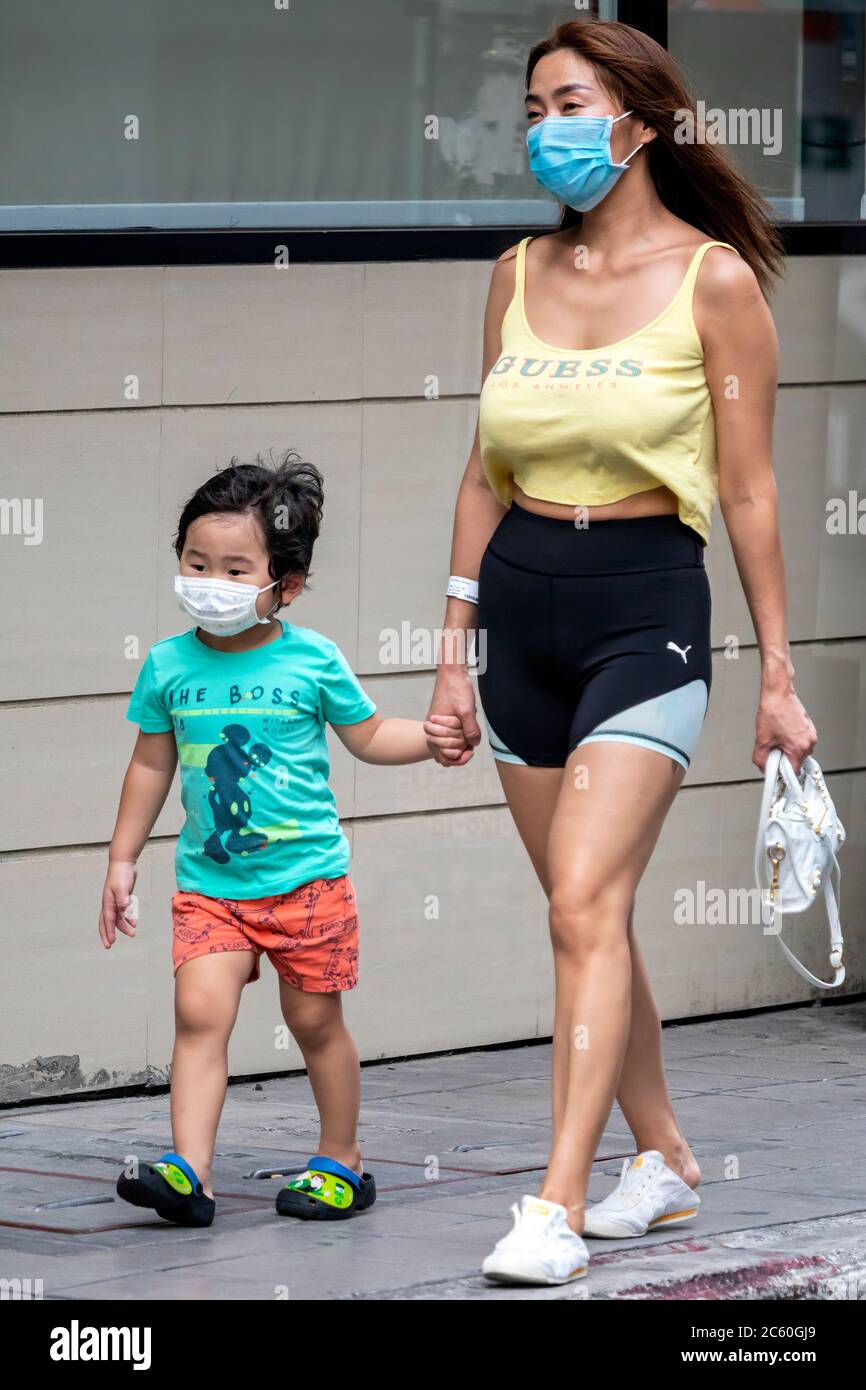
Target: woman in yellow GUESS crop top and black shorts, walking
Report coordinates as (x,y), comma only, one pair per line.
(583,518)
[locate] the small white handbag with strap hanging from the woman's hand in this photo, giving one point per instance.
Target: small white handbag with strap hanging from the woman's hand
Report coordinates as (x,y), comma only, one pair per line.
(799,836)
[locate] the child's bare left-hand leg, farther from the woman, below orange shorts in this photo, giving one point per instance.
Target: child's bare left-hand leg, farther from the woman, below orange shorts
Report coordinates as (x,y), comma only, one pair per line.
(208,993)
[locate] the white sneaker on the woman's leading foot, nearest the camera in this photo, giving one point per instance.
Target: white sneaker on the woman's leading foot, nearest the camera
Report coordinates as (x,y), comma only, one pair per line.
(541,1248)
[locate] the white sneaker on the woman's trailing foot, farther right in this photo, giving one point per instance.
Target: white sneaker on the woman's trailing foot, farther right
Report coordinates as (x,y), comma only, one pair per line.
(650,1196)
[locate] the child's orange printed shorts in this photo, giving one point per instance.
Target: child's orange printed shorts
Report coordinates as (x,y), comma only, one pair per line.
(309,935)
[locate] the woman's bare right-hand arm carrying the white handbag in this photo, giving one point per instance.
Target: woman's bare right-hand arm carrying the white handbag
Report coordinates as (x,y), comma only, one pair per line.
(742,351)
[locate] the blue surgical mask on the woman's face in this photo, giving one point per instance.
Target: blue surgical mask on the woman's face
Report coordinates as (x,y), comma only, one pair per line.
(571,156)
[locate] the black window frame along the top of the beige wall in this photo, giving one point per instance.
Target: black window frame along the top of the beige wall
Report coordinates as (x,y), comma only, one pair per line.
(256,247)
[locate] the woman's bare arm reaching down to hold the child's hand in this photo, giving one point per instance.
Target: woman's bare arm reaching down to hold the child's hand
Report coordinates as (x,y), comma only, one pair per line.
(477,515)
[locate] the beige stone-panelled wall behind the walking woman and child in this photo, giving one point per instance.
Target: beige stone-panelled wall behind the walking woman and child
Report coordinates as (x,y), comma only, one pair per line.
(334,361)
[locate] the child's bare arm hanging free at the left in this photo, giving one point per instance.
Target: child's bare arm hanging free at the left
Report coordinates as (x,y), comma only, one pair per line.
(144,796)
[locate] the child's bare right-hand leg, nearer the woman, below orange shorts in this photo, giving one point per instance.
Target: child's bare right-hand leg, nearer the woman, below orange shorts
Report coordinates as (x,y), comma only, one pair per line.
(316,1022)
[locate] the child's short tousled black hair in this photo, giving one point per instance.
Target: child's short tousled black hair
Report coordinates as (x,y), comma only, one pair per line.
(286,498)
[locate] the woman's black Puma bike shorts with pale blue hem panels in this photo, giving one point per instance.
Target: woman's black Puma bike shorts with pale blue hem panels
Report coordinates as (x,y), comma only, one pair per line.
(596,633)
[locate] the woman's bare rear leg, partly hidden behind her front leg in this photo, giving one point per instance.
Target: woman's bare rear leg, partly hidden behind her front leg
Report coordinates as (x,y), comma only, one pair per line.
(533,794)
